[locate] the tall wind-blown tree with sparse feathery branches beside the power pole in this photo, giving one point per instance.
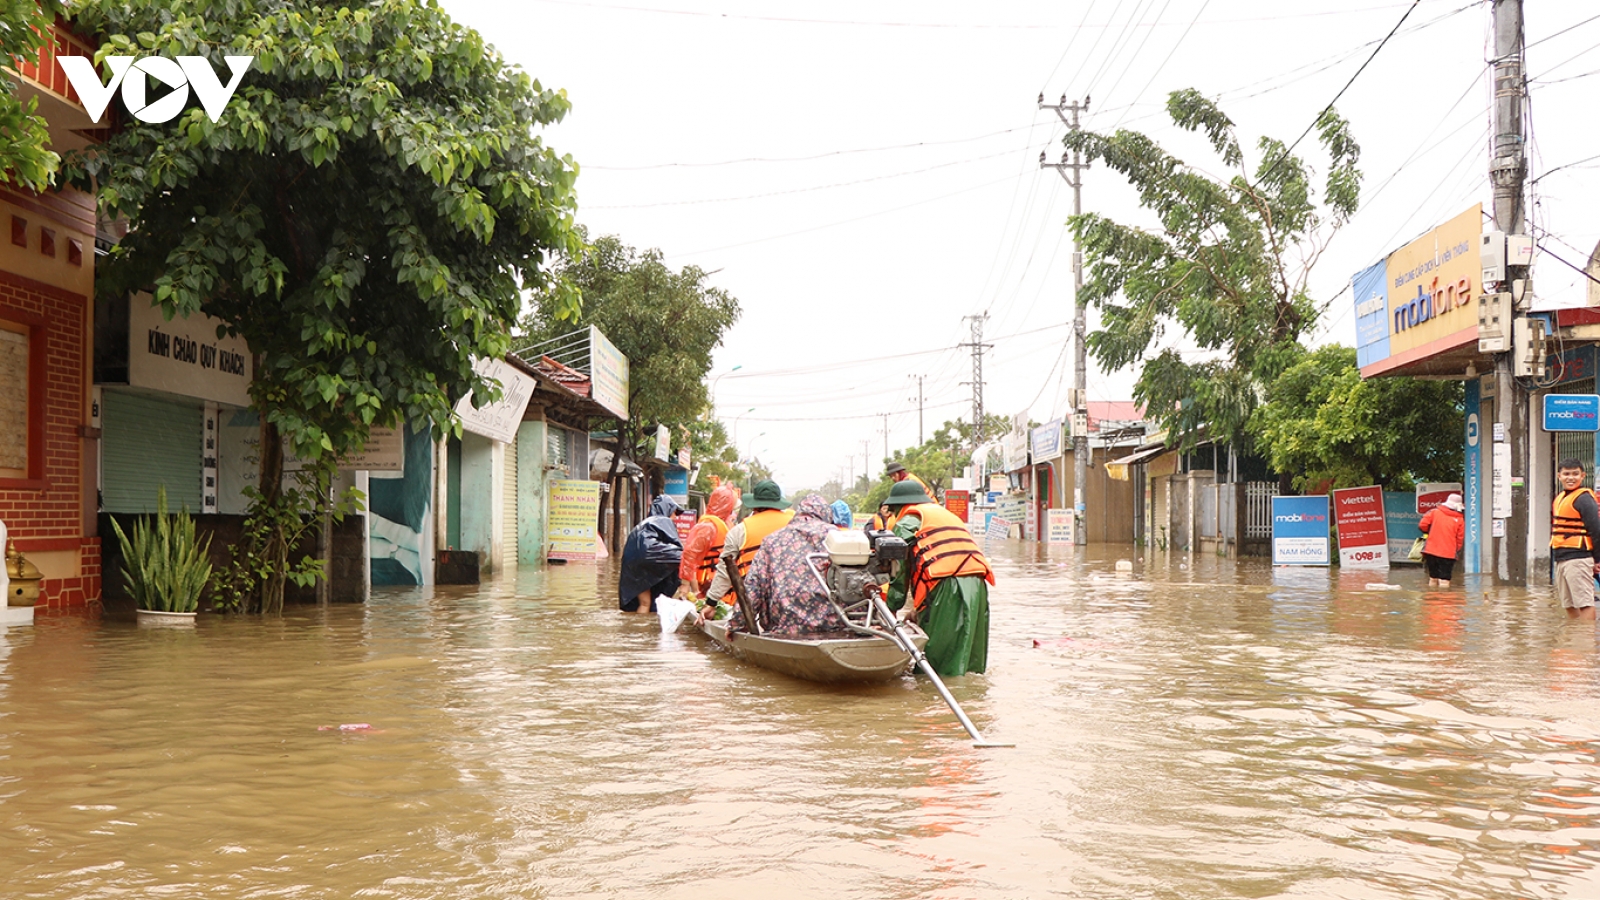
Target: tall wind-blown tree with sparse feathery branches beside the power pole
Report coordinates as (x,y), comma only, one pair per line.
(1228,265)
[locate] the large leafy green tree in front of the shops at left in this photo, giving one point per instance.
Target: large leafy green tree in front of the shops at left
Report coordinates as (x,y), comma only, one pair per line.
(366,214)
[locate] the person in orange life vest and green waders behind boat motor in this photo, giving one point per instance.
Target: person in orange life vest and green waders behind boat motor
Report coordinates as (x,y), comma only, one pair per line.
(945,582)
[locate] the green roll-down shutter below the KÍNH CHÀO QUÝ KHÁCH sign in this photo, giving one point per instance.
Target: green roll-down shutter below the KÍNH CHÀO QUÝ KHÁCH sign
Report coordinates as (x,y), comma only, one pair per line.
(148,443)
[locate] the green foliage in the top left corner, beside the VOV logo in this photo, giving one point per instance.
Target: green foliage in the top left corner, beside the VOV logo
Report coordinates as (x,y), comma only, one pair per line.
(26,158)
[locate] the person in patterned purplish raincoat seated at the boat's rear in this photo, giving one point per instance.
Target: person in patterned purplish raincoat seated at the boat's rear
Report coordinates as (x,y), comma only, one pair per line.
(785,595)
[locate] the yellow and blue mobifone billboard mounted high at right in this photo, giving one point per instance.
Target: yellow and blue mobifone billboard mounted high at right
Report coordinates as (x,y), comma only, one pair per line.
(1422,300)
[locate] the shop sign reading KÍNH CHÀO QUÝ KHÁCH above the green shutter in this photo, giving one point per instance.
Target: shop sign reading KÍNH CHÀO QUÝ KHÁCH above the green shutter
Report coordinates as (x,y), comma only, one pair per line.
(185,356)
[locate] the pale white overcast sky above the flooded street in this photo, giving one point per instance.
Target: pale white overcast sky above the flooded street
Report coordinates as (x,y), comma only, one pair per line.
(863,177)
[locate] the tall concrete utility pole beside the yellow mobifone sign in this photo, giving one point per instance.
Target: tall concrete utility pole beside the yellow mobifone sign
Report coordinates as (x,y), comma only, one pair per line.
(1508,172)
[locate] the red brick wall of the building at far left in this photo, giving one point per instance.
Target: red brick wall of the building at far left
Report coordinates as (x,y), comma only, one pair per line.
(46,515)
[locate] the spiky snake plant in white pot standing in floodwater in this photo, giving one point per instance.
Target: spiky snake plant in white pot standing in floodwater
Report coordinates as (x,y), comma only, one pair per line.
(166,566)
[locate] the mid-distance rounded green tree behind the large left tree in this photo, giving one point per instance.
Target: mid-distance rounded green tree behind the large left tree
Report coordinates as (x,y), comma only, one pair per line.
(666,323)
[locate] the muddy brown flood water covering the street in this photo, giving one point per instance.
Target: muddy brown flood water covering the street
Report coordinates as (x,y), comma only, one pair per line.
(1201,729)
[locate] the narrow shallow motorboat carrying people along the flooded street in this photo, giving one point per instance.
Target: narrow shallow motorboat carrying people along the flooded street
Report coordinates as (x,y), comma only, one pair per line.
(823,657)
